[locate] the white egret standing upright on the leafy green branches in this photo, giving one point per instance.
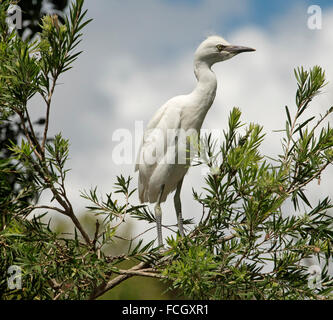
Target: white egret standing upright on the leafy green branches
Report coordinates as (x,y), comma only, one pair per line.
(161,169)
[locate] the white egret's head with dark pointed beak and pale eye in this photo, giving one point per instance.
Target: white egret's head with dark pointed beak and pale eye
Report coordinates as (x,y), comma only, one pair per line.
(215,49)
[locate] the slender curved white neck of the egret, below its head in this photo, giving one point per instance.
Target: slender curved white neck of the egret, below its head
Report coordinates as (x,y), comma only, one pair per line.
(205,91)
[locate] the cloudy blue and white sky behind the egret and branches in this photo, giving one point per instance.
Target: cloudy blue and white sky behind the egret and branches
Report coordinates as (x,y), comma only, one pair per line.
(139,54)
